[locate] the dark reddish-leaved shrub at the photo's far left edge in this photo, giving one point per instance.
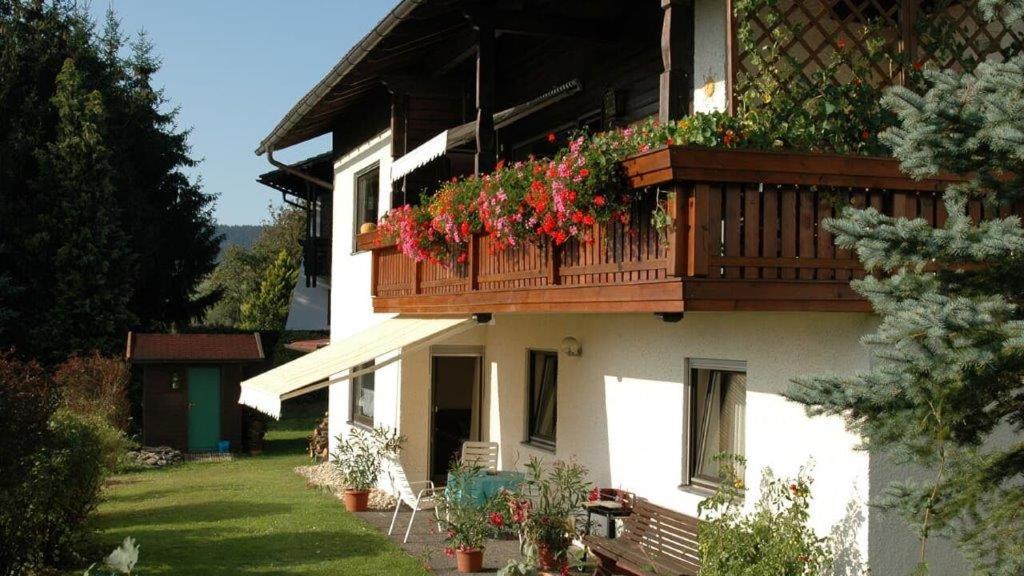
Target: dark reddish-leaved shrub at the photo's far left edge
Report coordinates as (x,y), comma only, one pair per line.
(28,400)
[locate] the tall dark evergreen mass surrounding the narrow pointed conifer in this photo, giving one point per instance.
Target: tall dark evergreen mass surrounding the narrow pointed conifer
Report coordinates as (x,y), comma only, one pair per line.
(164,216)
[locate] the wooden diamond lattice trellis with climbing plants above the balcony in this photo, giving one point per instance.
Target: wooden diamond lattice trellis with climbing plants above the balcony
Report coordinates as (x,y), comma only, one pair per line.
(947,33)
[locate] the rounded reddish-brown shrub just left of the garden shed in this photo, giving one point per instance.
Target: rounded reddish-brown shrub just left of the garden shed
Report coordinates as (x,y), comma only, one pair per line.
(96,386)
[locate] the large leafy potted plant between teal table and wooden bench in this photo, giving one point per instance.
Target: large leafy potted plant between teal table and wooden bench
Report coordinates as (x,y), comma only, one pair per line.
(548,511)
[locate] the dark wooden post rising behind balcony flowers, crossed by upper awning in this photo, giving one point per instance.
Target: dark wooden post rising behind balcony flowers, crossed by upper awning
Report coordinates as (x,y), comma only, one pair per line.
(484,25)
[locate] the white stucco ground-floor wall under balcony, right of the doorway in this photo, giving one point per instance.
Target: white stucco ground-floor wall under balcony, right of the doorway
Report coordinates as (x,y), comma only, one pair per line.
(621,404)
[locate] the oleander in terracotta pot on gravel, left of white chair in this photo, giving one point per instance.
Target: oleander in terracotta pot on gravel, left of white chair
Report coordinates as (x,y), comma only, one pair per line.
(360,459)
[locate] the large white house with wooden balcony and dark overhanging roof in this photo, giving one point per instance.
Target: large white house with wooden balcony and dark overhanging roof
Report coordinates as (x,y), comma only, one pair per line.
(641,355)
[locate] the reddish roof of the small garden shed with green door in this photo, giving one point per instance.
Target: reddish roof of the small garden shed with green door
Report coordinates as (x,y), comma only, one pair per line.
(186,348)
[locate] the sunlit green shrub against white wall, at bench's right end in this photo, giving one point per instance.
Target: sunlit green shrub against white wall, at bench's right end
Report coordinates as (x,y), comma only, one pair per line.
(772,540)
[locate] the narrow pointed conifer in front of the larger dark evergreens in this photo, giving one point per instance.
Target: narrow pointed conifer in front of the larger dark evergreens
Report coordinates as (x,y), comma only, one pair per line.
(92,293)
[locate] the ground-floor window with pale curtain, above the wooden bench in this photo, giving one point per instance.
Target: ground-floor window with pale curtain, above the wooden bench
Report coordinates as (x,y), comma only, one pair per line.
(717,406)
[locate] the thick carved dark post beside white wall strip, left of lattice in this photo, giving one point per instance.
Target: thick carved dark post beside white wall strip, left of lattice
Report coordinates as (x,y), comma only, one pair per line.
(676,99)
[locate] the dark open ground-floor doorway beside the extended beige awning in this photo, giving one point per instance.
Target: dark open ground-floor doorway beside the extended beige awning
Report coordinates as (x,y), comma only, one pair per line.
(455,407)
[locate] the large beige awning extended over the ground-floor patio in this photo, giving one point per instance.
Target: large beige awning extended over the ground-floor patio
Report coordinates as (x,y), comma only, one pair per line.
(335,362)
